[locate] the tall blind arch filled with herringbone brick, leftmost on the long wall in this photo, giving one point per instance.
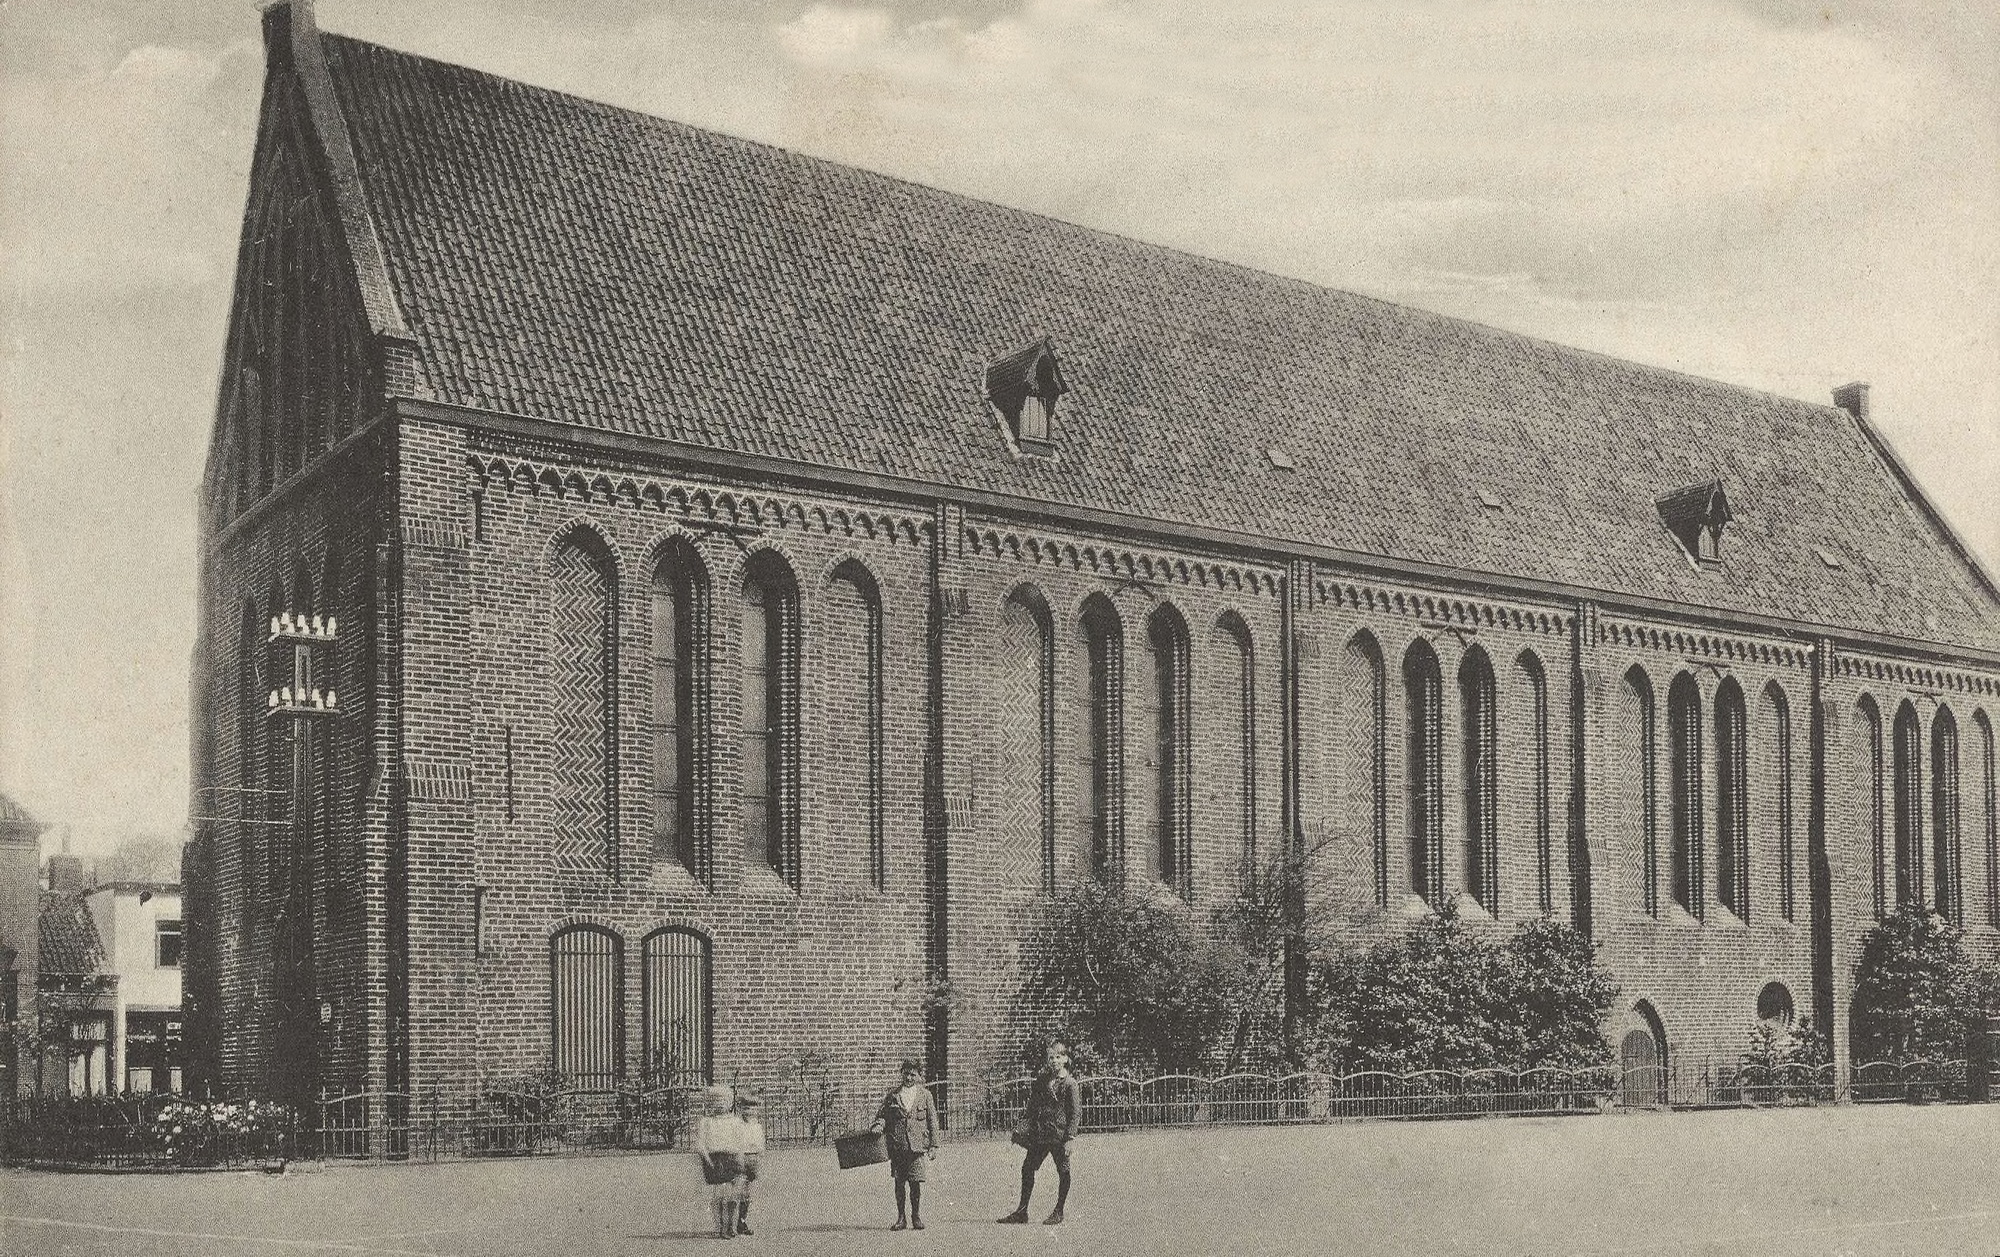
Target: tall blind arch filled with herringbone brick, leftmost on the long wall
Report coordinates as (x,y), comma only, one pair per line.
(583,670)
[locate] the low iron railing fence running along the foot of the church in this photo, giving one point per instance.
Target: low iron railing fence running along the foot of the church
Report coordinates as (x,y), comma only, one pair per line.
(499,1122)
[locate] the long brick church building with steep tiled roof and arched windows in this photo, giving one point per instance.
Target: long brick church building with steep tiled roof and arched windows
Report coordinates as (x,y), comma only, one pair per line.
(669,603)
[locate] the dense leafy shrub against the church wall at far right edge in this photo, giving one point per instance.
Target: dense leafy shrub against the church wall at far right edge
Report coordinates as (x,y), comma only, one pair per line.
(1917,994)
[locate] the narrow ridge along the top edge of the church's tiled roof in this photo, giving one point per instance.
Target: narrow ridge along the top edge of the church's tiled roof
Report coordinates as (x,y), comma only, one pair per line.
(1097,231)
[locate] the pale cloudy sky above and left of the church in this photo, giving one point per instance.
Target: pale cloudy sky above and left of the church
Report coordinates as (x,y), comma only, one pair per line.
(1771,193)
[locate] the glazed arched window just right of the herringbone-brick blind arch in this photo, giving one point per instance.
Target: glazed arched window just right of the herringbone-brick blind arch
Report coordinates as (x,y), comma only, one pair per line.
(681,812)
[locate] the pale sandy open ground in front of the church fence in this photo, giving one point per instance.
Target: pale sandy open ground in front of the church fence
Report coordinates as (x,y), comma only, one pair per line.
(1799,1184)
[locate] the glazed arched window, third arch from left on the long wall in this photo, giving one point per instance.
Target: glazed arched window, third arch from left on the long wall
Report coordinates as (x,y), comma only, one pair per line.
(771,718)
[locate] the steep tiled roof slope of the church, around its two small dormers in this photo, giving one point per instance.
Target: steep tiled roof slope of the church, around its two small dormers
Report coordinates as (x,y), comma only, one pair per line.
(587,265)
